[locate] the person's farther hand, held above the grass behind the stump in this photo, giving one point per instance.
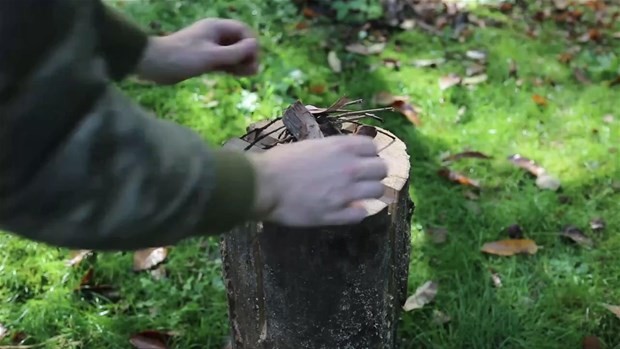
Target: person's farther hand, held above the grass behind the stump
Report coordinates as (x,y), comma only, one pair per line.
(208,45)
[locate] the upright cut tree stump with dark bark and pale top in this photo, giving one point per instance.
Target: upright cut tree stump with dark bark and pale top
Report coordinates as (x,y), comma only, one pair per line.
(321,288)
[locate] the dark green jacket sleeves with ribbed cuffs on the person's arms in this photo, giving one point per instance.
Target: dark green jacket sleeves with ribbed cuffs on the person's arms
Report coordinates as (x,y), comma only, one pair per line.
(82,166)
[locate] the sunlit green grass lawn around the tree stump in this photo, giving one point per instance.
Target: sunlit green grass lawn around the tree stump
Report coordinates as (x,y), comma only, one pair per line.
(548,300)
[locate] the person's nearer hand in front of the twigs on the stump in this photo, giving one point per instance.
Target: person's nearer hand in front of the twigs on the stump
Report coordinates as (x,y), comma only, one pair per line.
(318,182)
